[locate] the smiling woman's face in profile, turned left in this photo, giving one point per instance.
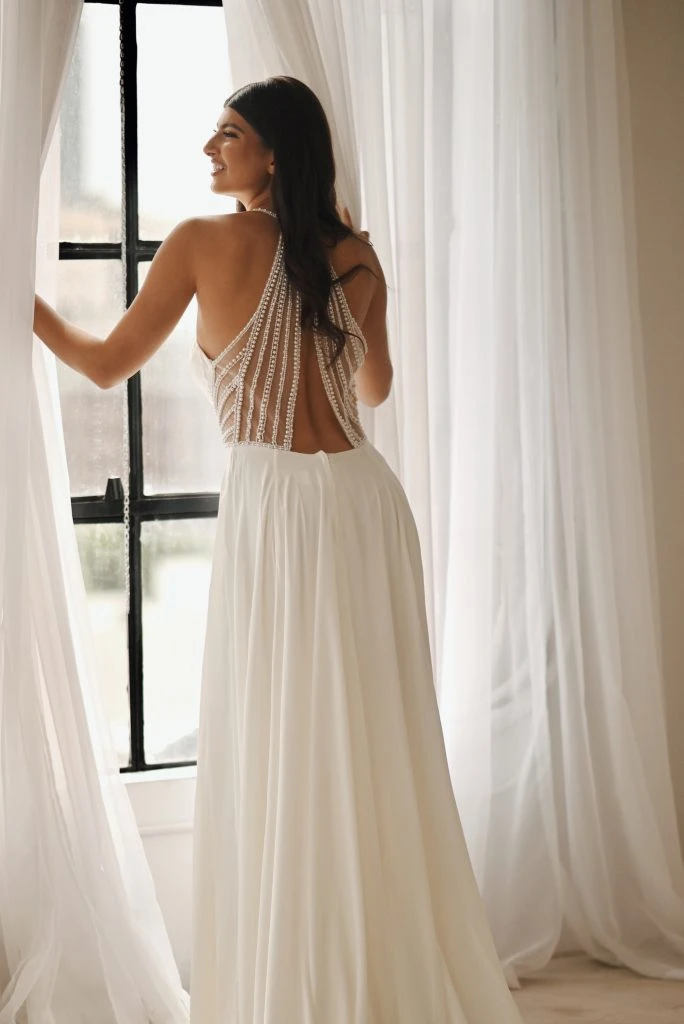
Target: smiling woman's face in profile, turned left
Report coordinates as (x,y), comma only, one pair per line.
(240,162)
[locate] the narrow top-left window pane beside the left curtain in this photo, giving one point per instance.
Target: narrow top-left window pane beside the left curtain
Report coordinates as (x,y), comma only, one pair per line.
(91,133)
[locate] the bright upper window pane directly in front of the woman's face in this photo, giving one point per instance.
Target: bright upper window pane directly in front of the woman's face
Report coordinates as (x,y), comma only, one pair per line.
(178,112)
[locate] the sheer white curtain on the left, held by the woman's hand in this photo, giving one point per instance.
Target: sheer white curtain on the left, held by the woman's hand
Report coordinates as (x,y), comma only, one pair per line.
(82,937)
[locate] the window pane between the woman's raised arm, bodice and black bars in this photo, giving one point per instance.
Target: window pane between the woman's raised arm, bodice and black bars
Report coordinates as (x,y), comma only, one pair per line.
(183,443)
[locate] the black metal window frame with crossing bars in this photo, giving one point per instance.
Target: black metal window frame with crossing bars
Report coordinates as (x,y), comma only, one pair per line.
(143,508)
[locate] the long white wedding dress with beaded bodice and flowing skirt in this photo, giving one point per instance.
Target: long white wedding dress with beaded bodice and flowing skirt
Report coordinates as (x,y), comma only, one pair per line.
(332,881)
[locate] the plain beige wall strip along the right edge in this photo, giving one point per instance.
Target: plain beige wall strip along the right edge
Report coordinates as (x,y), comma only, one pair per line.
(655,41)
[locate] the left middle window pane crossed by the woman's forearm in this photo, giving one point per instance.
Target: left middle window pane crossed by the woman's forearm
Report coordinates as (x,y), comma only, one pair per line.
(91,294)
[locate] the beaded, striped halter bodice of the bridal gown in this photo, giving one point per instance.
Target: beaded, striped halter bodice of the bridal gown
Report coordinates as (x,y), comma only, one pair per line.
(253,383)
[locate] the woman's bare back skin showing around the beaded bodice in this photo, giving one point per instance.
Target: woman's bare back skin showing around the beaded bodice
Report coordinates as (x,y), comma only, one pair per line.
(235,259)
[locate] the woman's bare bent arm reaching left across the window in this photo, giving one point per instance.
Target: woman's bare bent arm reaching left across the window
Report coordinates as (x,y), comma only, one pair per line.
(165,295)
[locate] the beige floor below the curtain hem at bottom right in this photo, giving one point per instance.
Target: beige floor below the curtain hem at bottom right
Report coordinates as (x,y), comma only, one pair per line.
(575,989)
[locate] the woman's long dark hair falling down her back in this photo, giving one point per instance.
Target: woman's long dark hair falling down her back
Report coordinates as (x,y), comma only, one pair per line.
(290,120)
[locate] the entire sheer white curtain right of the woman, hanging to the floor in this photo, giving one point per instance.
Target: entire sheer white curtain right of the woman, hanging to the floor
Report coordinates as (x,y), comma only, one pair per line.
(492,158)
